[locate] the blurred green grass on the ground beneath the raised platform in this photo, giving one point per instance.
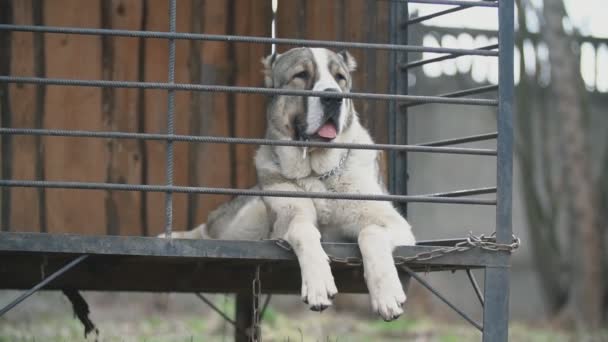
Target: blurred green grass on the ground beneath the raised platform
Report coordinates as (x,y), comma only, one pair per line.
(278,326)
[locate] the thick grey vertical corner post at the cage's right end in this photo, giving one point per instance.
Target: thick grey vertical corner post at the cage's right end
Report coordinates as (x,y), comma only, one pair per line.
(496,287)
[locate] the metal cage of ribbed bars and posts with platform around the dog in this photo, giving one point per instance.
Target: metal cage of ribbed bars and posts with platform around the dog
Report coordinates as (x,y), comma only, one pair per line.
(108,263)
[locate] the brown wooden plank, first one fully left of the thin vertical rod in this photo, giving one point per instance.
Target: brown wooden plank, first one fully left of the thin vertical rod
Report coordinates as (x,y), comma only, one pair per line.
(120,58)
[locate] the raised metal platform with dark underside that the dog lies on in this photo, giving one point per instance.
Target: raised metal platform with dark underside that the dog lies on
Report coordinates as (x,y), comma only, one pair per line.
(116,263)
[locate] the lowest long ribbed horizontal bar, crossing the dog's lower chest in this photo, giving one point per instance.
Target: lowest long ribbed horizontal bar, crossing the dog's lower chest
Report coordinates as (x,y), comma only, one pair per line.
(239,192)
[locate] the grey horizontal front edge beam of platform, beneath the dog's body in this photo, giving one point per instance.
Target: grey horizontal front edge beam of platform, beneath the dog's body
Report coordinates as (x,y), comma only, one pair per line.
(206,249)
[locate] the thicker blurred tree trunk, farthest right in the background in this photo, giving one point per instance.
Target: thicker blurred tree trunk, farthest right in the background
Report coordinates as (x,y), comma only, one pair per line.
(585,291)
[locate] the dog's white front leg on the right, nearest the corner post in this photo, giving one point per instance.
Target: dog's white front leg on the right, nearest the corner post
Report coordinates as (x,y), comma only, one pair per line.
(377,244)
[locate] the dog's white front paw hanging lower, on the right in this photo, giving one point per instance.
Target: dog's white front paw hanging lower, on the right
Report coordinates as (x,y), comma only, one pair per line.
(387,296)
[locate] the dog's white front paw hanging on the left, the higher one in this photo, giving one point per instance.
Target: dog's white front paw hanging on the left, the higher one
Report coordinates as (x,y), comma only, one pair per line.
(318,287)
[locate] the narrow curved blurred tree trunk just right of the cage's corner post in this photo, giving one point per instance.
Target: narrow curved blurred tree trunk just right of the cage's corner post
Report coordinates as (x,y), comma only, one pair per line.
(541,202)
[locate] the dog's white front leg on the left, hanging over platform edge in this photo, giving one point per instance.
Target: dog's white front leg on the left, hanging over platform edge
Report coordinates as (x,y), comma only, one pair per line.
(295,222)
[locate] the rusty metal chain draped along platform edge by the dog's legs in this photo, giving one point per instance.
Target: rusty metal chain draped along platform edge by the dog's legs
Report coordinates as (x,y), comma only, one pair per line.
(485,242)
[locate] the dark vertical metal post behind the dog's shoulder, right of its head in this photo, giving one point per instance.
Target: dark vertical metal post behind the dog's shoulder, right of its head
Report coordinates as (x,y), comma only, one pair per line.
(397,121)
